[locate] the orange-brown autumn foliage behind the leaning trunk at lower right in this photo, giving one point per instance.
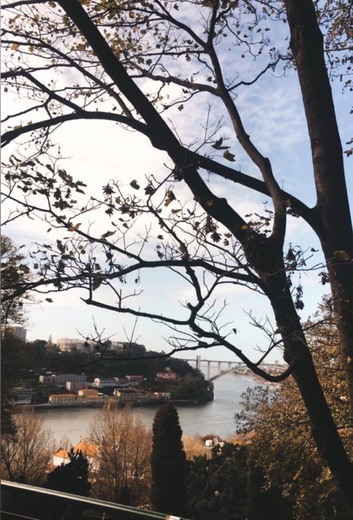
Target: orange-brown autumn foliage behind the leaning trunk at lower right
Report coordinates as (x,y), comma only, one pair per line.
(282,445)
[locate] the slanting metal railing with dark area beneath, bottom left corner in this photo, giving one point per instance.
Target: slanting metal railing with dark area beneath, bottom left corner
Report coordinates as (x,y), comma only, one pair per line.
(25,502)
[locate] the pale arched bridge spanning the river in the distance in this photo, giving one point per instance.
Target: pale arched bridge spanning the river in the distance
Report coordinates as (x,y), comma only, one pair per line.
(223,367)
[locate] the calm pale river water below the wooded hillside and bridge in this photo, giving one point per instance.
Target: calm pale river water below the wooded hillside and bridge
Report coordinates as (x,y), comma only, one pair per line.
(215,417)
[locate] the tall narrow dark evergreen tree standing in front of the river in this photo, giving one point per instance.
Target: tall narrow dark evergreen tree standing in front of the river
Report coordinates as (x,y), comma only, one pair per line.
(168,463)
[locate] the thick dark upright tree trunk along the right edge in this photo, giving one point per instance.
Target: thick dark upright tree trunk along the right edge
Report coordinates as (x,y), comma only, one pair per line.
(335,231)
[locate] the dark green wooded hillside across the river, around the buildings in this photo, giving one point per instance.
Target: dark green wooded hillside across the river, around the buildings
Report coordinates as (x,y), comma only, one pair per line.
(34,359)
